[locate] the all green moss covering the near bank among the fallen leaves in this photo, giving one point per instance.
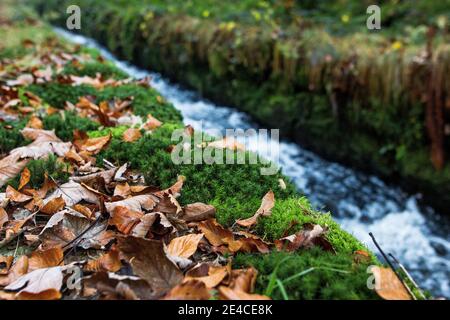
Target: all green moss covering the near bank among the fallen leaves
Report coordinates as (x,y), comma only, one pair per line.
(235,191)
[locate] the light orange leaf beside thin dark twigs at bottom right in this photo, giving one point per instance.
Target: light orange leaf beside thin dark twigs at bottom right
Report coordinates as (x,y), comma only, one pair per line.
(388,286)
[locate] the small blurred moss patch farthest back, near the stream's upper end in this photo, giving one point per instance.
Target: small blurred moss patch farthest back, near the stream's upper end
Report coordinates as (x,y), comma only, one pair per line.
(90,69)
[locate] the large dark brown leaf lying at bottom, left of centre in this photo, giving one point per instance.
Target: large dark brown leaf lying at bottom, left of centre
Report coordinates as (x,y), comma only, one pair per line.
(149,261)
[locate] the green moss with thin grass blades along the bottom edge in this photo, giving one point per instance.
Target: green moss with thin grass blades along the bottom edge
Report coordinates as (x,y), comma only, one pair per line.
(333,276)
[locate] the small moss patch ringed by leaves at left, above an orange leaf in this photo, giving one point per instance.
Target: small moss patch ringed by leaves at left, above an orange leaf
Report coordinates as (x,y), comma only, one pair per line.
(64,124)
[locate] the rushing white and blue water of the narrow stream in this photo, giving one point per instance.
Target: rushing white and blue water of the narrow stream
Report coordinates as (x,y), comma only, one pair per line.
(362,203)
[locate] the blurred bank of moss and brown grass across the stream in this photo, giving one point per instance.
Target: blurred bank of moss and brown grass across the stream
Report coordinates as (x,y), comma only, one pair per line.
(358,99)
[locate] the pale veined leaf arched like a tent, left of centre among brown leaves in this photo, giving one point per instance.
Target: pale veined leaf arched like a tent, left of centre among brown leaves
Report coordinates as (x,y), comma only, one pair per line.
(72,193)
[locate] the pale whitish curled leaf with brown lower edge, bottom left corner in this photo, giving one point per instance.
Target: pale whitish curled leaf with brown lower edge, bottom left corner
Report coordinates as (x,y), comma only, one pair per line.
(40,284)
